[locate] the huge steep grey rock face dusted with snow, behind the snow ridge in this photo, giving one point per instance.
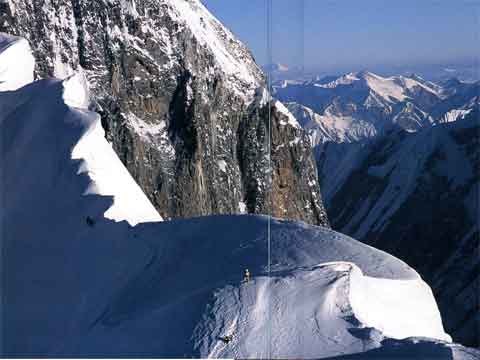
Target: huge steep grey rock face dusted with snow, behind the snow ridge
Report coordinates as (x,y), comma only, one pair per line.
(174,89)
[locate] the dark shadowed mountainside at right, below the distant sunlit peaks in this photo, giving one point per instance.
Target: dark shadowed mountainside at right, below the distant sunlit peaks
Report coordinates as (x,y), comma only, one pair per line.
(416,190)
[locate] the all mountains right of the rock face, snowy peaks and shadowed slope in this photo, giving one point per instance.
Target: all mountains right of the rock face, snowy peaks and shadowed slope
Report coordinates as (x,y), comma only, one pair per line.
(398,167)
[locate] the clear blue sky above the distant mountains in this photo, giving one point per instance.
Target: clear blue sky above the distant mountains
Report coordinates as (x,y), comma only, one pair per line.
(357,33)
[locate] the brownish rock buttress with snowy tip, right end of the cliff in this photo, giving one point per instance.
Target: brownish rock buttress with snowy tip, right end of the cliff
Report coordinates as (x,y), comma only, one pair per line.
(293,193)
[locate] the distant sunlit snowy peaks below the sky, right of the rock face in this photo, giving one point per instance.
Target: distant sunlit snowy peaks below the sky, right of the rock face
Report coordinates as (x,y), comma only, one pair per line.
(360,105)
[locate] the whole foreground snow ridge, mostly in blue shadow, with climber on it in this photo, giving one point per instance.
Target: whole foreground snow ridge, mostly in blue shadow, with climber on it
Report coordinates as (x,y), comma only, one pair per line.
(79,280)
